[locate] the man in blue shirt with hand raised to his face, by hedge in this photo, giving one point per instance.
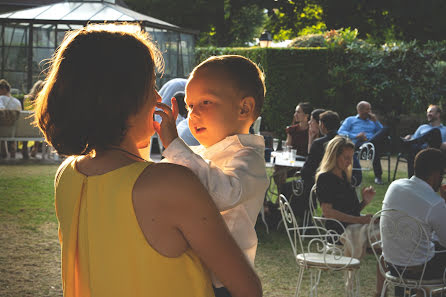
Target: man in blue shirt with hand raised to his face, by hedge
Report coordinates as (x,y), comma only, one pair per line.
(364,127)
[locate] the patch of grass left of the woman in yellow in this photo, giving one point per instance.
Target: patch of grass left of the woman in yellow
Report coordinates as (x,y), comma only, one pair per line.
(29,248)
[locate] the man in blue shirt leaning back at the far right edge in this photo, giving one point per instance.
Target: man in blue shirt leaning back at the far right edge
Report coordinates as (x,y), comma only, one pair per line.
(432,134)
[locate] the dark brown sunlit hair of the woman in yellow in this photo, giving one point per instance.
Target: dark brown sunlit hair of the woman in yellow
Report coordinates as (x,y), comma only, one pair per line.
(99,76)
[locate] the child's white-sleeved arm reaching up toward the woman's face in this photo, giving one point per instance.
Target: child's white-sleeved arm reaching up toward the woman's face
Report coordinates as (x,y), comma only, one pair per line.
(242,176)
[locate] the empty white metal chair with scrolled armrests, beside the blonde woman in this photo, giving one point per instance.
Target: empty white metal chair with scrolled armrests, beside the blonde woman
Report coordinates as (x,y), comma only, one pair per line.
(319,253)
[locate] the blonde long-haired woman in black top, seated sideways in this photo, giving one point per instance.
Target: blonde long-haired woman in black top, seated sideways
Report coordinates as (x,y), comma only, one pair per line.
(338,198)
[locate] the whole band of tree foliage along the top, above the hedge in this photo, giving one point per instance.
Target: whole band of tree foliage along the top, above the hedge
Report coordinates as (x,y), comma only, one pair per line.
(238,22)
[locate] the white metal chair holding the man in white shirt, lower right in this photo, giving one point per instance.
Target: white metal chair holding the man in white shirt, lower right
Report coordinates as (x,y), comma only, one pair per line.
(402,229)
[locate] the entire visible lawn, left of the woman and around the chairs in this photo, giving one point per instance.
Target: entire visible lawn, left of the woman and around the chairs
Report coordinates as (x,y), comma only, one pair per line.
(30,253)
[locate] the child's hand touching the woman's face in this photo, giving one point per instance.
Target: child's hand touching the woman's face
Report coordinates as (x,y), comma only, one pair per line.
(167,130)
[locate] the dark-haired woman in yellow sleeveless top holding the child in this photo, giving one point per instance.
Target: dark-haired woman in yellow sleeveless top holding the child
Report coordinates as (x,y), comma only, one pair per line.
(124,230)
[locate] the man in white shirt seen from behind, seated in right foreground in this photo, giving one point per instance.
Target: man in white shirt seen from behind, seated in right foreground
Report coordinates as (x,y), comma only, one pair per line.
(417,198)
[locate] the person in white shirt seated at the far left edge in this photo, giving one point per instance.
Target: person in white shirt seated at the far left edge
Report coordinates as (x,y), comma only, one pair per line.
(10,103)
